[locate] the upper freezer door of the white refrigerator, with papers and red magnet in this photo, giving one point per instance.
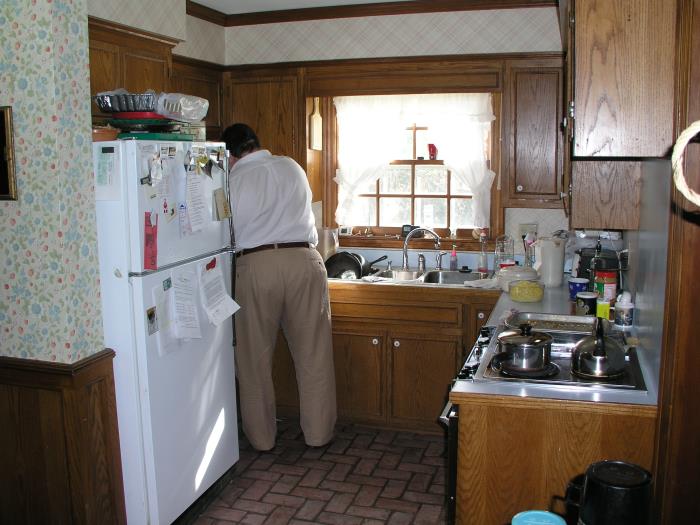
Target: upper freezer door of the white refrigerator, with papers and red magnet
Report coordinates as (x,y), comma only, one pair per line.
(171,193)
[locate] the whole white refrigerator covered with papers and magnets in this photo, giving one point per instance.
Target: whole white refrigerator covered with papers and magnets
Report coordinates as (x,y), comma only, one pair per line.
(164,241)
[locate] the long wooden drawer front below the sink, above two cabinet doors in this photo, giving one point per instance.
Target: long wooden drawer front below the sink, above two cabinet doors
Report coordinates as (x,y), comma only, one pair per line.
(441,314)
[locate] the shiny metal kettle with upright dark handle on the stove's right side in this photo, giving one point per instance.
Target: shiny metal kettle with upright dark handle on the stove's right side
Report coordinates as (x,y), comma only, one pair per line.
(598,356)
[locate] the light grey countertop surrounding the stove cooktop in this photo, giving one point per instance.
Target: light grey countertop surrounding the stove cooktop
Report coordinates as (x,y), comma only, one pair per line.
(555,301)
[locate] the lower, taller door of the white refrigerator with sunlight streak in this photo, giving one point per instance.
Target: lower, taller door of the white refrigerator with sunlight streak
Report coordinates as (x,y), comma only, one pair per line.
(187,391)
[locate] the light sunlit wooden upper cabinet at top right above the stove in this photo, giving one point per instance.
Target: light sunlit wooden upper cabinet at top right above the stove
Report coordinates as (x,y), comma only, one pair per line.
(623,77)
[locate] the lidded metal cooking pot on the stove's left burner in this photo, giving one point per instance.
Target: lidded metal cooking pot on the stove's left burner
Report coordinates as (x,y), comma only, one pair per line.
(525,350)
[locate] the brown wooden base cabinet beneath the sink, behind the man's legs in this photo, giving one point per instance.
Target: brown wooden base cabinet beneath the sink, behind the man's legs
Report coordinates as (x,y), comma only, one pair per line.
(395,352)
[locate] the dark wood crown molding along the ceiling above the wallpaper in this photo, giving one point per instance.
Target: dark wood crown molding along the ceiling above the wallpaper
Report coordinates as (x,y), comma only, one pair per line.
(357,11)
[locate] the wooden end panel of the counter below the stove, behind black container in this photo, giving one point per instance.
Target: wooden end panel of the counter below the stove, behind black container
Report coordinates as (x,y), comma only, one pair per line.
(519,454)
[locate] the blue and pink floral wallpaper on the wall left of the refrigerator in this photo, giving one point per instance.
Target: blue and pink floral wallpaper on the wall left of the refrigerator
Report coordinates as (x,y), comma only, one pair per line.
(49,288)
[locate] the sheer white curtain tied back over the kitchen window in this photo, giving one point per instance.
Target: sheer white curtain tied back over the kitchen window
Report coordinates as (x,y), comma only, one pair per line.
(371,129)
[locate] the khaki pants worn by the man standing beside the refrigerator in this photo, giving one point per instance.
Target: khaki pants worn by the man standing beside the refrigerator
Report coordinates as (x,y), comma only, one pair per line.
(288,288)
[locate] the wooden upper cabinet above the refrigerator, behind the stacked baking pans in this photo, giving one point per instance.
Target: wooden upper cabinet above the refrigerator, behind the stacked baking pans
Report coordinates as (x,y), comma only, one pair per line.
(122,57)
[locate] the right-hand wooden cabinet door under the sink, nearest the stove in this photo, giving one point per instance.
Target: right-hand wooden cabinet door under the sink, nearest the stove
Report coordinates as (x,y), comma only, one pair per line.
(421,369)
